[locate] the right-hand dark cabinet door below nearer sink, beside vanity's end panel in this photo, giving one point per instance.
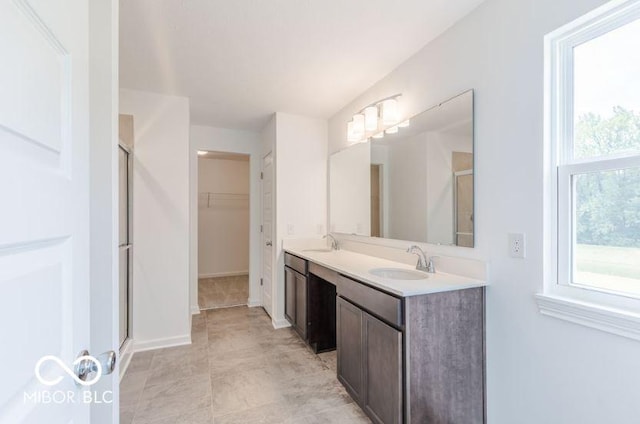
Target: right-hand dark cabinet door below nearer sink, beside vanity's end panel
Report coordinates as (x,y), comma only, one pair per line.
(382,362)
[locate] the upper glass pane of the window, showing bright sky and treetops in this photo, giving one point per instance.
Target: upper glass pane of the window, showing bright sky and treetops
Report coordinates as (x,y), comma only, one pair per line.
(607,94)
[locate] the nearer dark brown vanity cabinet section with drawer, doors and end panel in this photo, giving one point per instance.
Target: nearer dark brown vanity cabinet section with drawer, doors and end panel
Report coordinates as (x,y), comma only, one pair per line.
(418,359)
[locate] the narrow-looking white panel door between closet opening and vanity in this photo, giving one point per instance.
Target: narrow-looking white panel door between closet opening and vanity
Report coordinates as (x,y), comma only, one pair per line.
(267,233)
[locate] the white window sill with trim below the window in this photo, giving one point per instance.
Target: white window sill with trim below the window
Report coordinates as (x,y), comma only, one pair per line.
(616,321)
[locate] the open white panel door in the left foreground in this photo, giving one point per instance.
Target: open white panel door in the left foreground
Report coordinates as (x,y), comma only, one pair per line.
(44,217)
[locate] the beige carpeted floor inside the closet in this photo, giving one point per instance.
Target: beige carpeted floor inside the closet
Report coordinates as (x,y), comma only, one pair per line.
(222,292)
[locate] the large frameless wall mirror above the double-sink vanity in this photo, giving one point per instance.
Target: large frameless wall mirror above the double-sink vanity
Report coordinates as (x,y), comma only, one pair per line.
(418,182)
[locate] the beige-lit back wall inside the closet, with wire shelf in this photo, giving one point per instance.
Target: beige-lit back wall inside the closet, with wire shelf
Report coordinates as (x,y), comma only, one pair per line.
(223,221)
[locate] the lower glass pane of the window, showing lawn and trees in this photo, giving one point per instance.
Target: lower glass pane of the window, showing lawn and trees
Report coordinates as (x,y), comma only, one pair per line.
(607,230)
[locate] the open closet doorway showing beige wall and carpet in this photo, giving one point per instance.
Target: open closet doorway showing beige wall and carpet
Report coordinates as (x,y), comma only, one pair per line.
(223,229)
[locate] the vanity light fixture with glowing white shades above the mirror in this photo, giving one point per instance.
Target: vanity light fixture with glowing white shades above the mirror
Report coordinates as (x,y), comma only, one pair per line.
(376,119)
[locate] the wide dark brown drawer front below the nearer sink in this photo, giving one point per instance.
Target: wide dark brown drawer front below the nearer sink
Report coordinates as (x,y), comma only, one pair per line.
(379,303)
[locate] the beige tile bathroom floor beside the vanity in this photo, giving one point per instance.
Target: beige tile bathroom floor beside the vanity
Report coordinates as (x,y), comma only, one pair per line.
(237,370)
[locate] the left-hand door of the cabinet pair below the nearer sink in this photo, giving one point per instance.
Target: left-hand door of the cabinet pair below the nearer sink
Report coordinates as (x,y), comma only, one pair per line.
(349,347)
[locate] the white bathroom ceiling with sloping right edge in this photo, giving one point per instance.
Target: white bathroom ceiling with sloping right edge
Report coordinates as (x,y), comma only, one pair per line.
(239,61)
